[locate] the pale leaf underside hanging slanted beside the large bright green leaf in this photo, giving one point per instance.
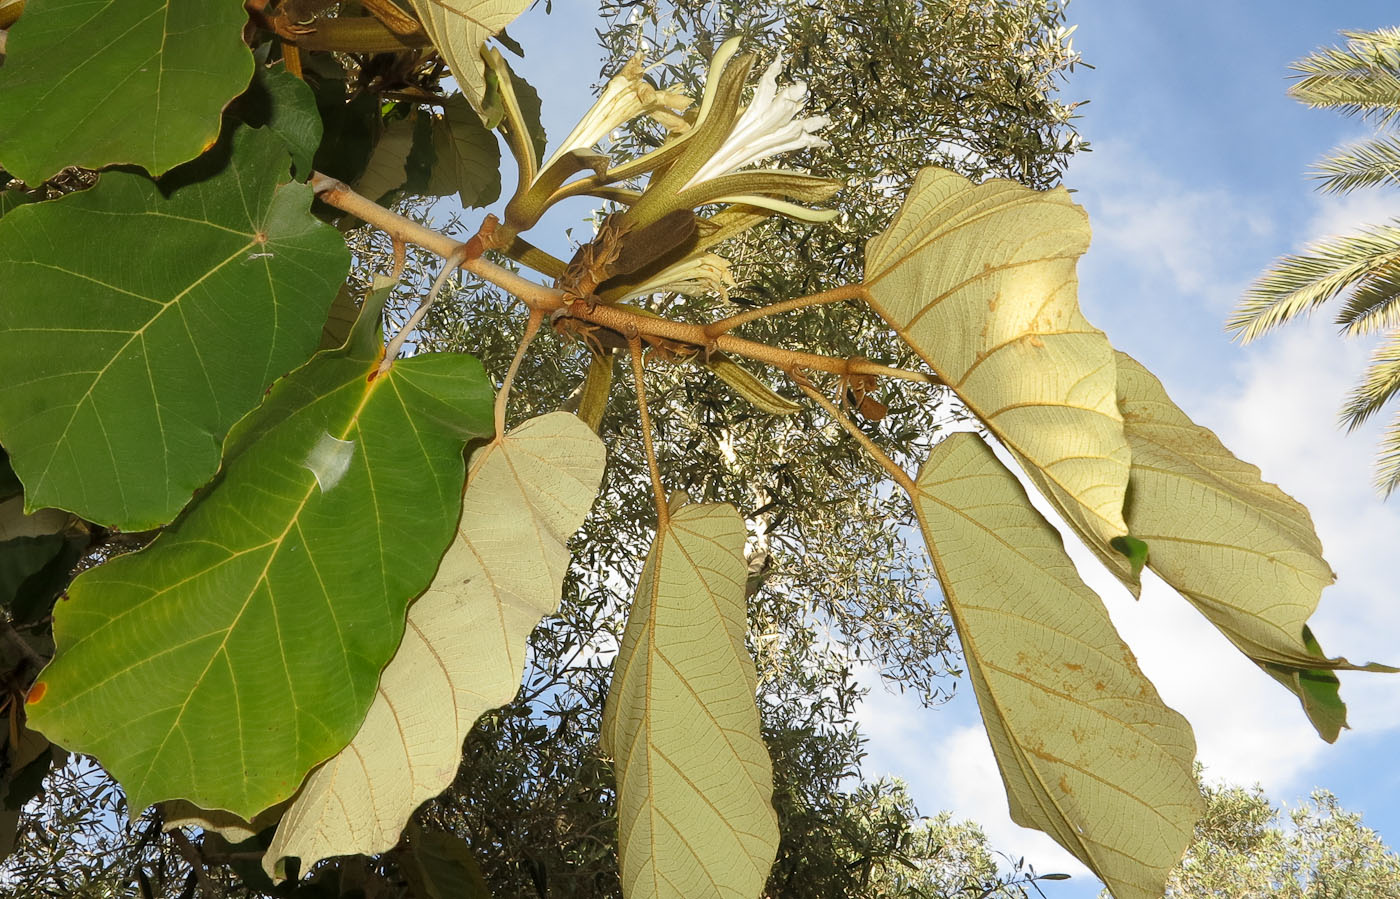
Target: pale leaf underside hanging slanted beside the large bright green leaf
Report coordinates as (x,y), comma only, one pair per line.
(464,650)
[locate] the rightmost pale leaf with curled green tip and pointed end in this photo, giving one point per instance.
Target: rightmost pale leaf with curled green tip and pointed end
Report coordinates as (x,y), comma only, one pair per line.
(1240,550)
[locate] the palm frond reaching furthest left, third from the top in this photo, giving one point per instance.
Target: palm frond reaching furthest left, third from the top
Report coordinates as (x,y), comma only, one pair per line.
(1300,284)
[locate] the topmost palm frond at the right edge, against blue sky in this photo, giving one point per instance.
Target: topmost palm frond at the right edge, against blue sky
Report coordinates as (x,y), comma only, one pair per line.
(1360,79)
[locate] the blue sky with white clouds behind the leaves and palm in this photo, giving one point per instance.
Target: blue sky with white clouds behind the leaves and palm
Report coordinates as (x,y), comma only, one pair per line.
(1195,186)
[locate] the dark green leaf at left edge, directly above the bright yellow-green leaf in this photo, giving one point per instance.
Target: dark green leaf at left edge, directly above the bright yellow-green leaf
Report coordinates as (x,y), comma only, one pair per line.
(124,362)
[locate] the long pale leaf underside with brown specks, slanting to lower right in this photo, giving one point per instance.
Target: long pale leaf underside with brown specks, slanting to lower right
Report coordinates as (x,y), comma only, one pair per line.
(1086,747)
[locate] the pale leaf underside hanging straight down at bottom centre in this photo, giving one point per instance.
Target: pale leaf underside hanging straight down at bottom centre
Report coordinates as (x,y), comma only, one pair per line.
(695,782)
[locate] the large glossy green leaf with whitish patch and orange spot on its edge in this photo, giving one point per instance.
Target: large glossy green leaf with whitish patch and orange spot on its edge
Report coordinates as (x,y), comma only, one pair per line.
(244,645)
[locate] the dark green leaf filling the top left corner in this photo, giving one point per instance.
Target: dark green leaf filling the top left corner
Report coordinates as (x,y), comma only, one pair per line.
(106,83)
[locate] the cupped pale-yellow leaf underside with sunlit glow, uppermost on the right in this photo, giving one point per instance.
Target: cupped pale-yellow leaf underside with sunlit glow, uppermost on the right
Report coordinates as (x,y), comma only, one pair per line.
(981,282)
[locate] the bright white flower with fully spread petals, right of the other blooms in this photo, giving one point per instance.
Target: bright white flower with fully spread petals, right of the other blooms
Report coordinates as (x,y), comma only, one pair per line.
(765,130)
